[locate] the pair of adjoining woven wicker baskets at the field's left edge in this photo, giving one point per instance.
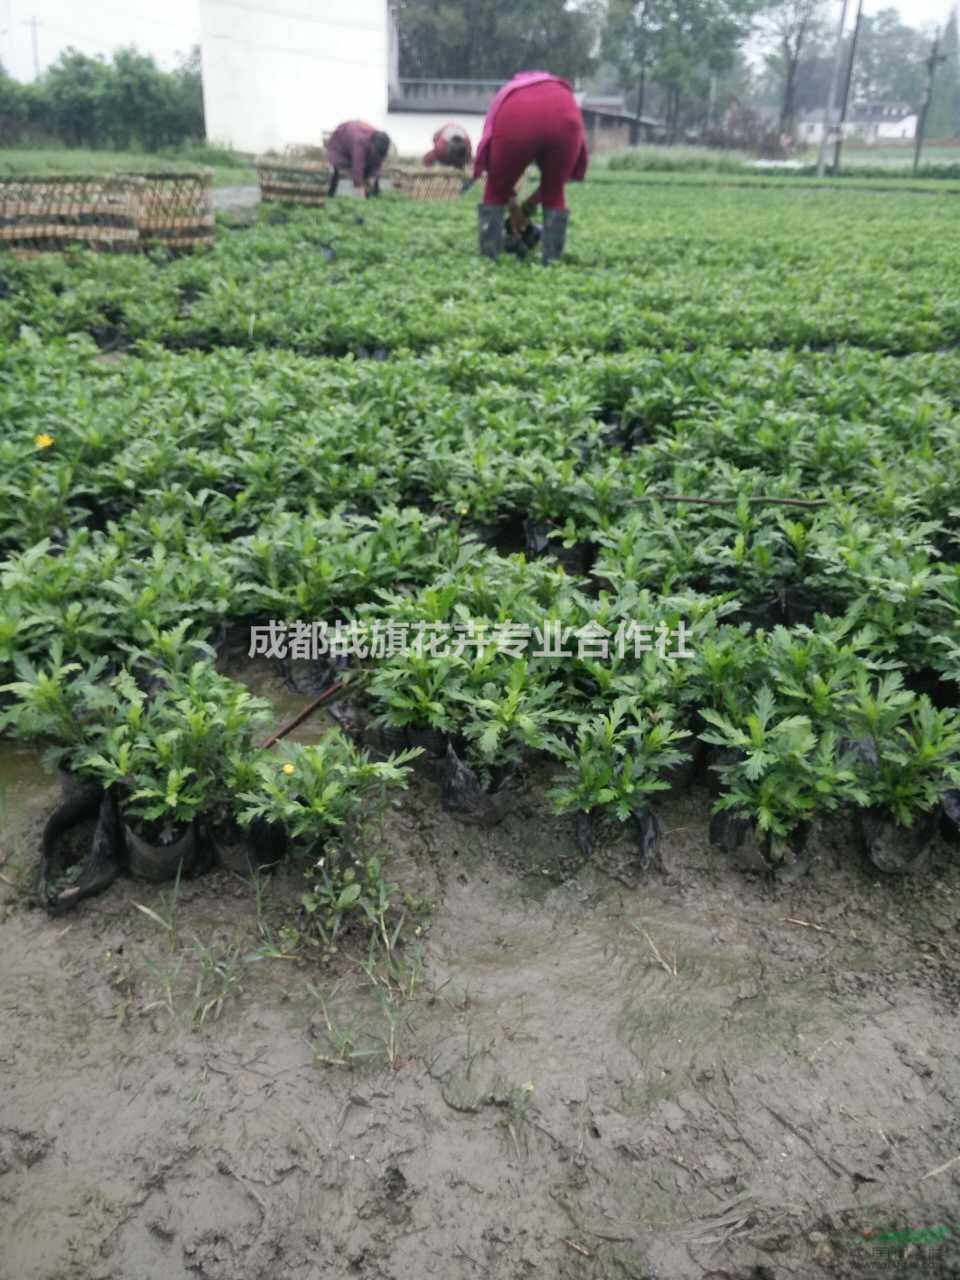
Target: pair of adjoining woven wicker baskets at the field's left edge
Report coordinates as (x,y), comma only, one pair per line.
(116,213)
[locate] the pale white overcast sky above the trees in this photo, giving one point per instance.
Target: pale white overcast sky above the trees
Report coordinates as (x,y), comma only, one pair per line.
(170,28)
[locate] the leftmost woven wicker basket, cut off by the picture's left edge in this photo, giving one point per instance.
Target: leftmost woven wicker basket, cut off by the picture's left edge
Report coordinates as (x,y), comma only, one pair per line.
(56,212)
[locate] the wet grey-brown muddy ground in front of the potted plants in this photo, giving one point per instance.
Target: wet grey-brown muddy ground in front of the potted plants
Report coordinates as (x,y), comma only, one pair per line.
(589,1073)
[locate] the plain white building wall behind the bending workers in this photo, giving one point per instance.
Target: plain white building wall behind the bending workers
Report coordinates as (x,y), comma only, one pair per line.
(281,72)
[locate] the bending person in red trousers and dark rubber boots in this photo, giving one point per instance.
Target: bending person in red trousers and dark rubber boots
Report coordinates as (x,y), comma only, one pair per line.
(533,120)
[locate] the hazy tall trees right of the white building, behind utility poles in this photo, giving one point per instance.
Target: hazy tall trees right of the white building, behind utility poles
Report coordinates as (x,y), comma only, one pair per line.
(685,62)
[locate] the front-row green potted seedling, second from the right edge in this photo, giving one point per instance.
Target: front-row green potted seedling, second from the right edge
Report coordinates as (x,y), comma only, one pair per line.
(776,776)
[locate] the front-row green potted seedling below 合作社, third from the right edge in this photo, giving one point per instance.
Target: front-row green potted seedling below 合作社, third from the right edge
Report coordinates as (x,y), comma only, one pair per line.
(615,766)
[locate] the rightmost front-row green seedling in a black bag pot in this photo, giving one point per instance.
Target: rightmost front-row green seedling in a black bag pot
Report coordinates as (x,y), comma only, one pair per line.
(912,765)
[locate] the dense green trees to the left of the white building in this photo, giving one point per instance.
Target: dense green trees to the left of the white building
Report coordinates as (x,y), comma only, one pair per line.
(125,103)
